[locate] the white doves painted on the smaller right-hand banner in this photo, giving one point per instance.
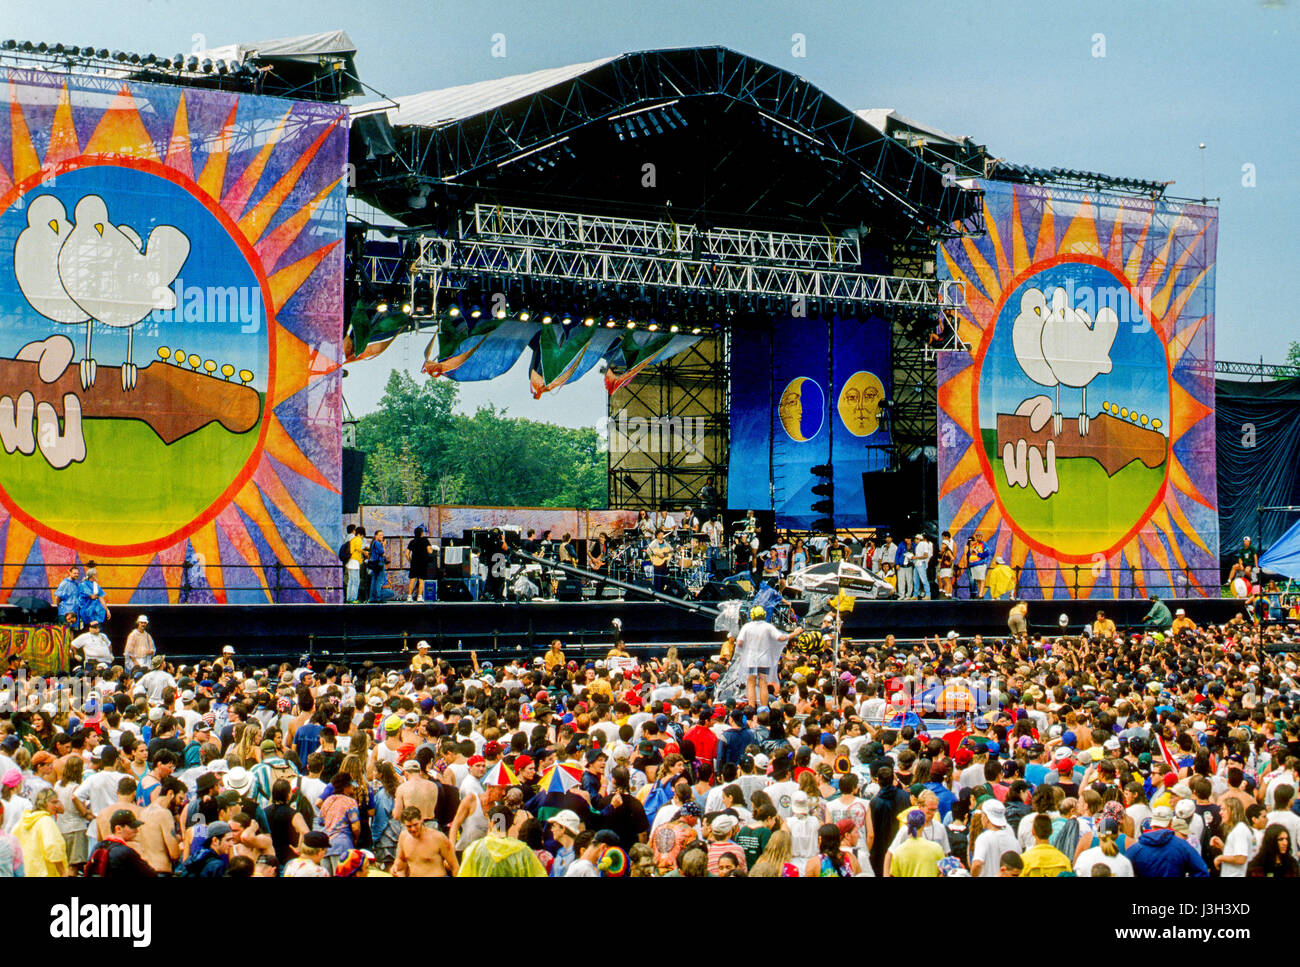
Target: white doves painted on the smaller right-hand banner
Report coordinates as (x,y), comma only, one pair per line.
(1058,345)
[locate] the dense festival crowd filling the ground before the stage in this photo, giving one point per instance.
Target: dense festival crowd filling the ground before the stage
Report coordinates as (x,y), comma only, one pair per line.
(1152,753)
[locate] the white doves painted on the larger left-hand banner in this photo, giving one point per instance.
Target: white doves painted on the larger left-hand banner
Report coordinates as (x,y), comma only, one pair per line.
(97,272)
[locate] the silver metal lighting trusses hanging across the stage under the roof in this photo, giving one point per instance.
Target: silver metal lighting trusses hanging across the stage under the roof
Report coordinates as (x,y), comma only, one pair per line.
(648,255)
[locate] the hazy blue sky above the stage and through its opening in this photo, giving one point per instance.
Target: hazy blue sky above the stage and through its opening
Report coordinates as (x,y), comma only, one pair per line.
(1021,77)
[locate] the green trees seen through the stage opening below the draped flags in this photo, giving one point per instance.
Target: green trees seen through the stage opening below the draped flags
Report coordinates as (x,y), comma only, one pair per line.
(418,452)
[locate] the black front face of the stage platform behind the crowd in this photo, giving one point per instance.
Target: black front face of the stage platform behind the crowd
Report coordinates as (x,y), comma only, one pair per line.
(495,628)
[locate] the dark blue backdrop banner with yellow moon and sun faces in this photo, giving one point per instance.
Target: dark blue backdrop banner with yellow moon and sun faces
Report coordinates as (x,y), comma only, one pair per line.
(808,392)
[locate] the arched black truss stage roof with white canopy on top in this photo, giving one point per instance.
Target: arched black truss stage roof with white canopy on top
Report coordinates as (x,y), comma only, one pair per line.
(696,136)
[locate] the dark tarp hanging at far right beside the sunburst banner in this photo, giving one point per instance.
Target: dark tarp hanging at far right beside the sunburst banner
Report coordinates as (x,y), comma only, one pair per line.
(1258,439)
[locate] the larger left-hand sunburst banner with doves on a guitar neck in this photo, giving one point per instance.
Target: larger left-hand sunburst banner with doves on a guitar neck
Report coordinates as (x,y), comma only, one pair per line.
(171,333)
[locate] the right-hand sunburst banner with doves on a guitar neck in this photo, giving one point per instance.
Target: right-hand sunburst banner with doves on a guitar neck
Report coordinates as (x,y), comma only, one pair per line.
(1077,433)
